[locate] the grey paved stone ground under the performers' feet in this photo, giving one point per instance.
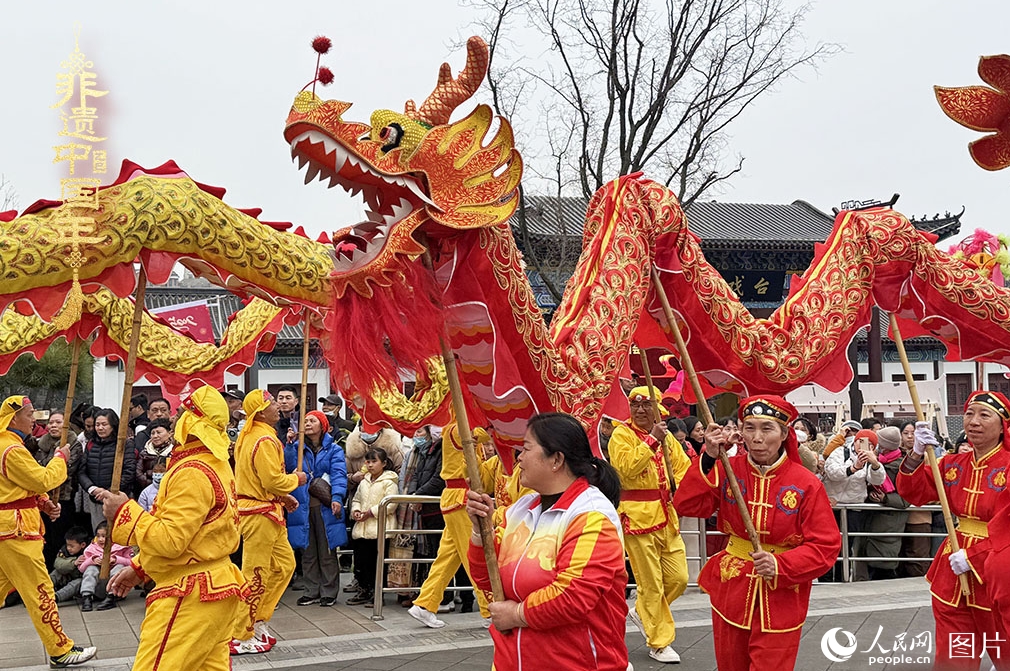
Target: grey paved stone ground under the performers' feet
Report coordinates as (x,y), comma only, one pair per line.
(313,638)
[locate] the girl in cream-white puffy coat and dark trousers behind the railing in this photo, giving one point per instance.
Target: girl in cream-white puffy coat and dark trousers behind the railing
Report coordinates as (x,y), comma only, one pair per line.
(381,482)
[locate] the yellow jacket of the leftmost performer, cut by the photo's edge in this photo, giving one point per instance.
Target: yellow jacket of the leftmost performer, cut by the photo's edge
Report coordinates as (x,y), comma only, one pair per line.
(24,485)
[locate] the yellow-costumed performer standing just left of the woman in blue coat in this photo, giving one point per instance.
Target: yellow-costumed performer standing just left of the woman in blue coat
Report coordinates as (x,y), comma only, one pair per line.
(264,494)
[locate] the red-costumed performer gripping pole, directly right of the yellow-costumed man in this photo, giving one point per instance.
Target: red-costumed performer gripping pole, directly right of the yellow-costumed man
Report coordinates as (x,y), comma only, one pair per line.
(760,599)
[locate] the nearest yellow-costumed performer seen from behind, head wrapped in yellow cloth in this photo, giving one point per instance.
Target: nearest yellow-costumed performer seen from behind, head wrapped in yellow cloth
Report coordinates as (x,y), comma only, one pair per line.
(185,545)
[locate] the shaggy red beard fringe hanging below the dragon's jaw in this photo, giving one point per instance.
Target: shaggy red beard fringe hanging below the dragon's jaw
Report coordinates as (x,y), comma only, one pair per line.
(372,339)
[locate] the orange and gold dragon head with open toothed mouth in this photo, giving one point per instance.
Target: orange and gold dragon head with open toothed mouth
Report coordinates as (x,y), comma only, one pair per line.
(421,175)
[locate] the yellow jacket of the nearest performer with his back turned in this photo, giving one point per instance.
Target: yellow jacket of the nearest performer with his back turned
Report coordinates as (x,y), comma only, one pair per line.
(187,538)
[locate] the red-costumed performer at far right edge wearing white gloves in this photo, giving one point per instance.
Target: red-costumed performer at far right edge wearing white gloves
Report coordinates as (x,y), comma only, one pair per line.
(974,483)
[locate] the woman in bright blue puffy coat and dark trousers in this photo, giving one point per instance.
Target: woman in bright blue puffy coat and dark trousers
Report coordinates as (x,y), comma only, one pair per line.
(318,526)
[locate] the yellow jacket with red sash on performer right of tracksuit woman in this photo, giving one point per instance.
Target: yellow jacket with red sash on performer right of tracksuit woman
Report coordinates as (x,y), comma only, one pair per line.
(647,503)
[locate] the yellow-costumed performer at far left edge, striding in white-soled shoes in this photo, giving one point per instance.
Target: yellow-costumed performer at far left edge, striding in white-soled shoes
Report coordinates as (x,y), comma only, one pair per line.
(24,485)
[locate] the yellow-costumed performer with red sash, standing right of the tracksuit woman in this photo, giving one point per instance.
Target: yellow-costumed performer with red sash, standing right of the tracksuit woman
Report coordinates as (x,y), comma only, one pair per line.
(652,529)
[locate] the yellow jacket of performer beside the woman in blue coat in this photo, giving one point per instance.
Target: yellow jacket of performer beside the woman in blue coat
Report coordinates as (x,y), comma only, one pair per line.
(260,475)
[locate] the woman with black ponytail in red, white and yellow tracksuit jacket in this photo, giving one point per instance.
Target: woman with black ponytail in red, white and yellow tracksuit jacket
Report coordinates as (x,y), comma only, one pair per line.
(561,557)
